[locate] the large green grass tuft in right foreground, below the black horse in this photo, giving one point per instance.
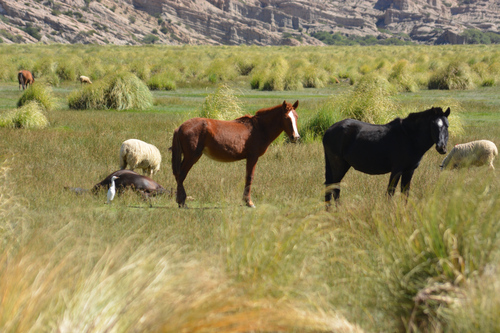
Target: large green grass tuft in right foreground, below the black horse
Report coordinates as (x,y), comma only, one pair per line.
(417,261)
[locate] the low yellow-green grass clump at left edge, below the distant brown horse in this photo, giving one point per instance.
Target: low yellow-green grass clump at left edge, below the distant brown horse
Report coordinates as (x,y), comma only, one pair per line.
(30,115)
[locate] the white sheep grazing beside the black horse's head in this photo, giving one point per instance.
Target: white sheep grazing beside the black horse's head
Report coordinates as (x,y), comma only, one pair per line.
(477,153)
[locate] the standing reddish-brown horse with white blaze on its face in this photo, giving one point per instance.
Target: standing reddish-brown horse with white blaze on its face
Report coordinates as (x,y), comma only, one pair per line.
(247,137)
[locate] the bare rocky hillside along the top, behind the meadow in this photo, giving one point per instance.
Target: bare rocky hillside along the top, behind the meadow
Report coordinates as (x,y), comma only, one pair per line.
(234,22)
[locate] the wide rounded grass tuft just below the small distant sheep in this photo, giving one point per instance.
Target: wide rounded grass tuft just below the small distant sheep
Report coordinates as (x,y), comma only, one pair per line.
(121,92)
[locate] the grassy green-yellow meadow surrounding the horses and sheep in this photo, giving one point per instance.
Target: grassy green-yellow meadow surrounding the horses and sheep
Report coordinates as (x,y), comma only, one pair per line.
(71,263)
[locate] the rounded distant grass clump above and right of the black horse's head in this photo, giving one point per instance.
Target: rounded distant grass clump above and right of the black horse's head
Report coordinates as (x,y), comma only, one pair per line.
(455,76)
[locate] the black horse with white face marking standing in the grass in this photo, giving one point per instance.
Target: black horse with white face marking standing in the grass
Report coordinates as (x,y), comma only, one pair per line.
(396,147)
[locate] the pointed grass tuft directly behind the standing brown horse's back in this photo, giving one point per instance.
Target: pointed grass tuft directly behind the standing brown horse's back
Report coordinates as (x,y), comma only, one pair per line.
(222,104)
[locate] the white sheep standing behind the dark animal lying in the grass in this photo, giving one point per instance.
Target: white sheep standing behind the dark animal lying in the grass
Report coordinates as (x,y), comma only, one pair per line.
(139,154)
